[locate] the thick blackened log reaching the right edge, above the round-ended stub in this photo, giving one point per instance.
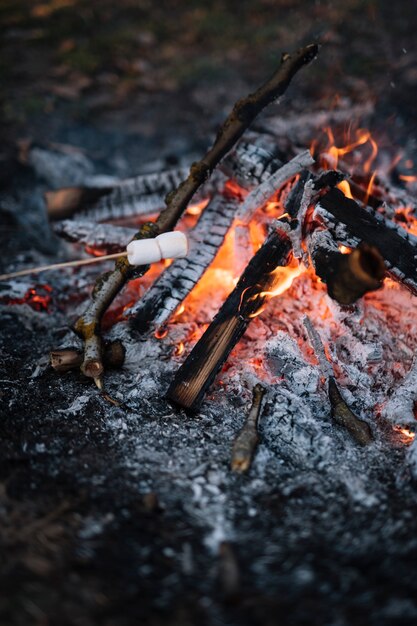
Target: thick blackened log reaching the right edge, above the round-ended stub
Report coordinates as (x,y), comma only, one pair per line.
(350,224)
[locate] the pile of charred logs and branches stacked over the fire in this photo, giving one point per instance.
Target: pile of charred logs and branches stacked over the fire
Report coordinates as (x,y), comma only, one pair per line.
(318,220)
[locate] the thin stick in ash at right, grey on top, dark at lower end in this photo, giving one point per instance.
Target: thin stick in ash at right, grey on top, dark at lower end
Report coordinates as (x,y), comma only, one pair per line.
(341,413)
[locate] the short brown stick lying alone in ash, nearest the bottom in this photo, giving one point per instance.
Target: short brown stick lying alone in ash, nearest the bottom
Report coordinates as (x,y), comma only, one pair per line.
(245,443)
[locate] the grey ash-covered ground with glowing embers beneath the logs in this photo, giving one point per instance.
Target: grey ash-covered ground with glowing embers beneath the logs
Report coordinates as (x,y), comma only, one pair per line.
(132,515)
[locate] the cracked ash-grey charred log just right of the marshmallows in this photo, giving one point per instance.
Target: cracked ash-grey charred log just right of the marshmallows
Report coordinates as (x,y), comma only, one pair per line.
(176,282)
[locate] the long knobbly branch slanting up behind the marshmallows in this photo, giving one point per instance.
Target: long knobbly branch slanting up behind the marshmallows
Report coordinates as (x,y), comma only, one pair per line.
(243,114)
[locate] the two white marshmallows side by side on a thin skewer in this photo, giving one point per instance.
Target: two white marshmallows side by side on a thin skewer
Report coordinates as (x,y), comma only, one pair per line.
(172,245)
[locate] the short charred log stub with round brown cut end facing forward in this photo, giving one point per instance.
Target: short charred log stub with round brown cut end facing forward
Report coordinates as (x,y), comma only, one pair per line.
(347,276)
